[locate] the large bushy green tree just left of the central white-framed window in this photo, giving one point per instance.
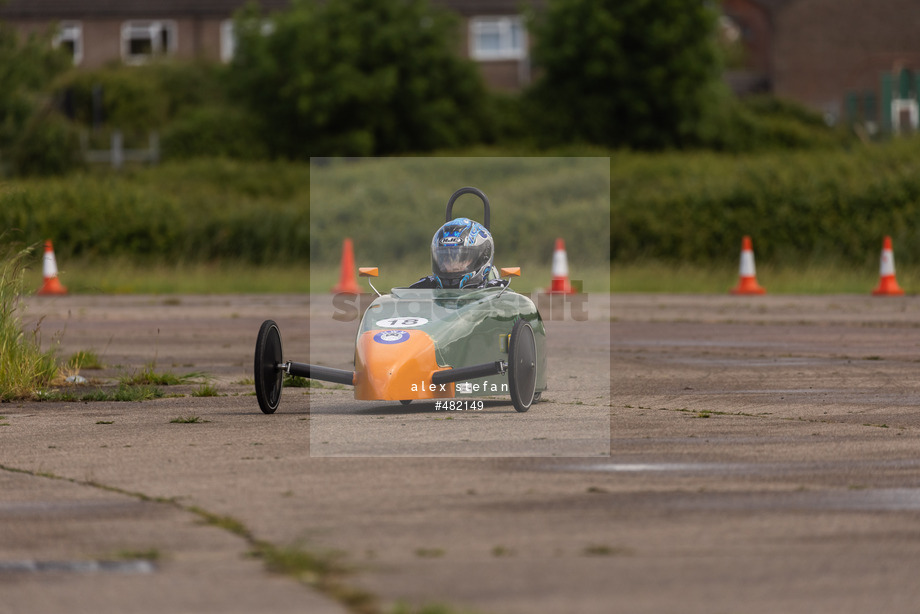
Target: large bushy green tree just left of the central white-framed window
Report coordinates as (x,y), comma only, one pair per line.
(357,77)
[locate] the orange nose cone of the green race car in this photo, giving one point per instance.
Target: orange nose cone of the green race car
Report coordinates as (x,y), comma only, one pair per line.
(396,365)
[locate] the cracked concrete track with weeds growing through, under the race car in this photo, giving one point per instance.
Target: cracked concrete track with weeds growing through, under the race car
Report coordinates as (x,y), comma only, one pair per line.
(764,457)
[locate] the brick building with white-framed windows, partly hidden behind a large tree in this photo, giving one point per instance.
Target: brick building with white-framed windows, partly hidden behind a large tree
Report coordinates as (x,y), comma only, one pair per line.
(133,31)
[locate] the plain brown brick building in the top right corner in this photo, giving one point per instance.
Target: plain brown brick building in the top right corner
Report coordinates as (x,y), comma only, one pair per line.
(829,53)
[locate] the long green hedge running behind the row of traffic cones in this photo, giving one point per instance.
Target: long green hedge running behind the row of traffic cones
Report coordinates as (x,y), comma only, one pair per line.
(824,205)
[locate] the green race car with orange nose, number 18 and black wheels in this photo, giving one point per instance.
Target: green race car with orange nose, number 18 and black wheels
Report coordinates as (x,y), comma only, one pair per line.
(431,342)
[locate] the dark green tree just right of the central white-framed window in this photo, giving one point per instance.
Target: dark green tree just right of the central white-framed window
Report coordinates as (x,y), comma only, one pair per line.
(635,73)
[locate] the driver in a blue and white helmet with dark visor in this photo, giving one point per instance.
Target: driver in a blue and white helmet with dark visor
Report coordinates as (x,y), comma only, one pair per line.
(461,257)
